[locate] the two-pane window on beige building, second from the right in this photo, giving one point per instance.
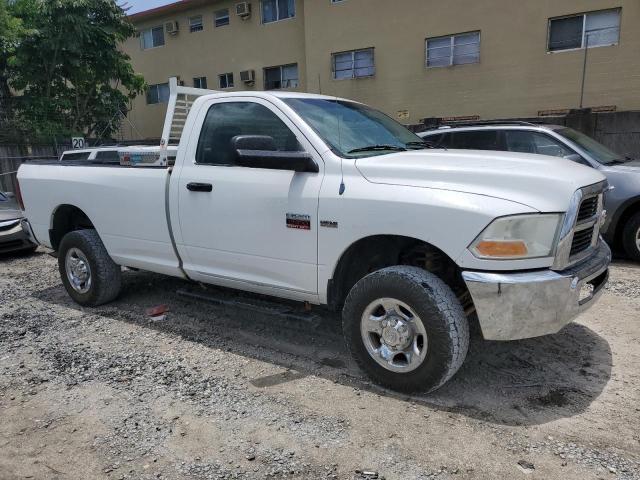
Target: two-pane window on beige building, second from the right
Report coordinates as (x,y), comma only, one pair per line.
(459,49)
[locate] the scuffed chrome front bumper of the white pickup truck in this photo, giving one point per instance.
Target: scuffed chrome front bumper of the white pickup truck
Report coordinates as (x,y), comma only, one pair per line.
(513,306)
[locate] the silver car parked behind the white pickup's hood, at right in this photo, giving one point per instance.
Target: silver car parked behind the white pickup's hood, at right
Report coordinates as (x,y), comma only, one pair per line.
(622,201)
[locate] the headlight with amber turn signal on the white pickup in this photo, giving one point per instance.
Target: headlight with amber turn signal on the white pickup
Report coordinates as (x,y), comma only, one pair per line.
(518,236)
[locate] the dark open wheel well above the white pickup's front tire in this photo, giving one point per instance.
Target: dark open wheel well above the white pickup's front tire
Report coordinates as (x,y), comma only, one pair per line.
(375,252)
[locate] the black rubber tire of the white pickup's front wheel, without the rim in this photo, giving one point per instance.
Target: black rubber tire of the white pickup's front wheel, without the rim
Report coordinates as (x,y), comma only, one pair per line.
(440,311)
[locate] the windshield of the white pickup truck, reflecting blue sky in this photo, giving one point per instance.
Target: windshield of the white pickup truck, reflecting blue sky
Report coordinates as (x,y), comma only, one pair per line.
(353,130)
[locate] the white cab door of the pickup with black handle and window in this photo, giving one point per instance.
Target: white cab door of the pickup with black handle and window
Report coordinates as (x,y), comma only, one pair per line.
(249,228)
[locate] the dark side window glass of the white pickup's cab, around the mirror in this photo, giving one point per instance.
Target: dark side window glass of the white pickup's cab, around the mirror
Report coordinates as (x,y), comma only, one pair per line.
(227,120)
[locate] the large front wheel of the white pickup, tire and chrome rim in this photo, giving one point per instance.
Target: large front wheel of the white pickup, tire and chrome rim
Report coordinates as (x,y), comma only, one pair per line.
(406,328)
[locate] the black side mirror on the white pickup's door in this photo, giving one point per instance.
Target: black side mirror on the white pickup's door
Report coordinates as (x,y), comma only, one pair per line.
(260,151)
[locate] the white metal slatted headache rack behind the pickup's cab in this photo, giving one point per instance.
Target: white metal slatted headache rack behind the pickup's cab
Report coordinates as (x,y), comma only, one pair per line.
(180,102)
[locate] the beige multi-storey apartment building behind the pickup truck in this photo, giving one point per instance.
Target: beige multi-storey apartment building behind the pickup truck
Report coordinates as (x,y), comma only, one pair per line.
(413,59)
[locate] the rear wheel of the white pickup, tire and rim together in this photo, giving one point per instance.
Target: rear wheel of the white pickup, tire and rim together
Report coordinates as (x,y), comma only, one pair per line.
(88,273)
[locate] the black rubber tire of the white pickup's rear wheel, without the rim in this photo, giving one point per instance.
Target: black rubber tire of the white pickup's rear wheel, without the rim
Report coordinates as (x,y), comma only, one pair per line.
(106,276)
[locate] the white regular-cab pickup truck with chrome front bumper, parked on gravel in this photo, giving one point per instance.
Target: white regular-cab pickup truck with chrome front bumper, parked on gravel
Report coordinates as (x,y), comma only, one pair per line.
(328,201)
